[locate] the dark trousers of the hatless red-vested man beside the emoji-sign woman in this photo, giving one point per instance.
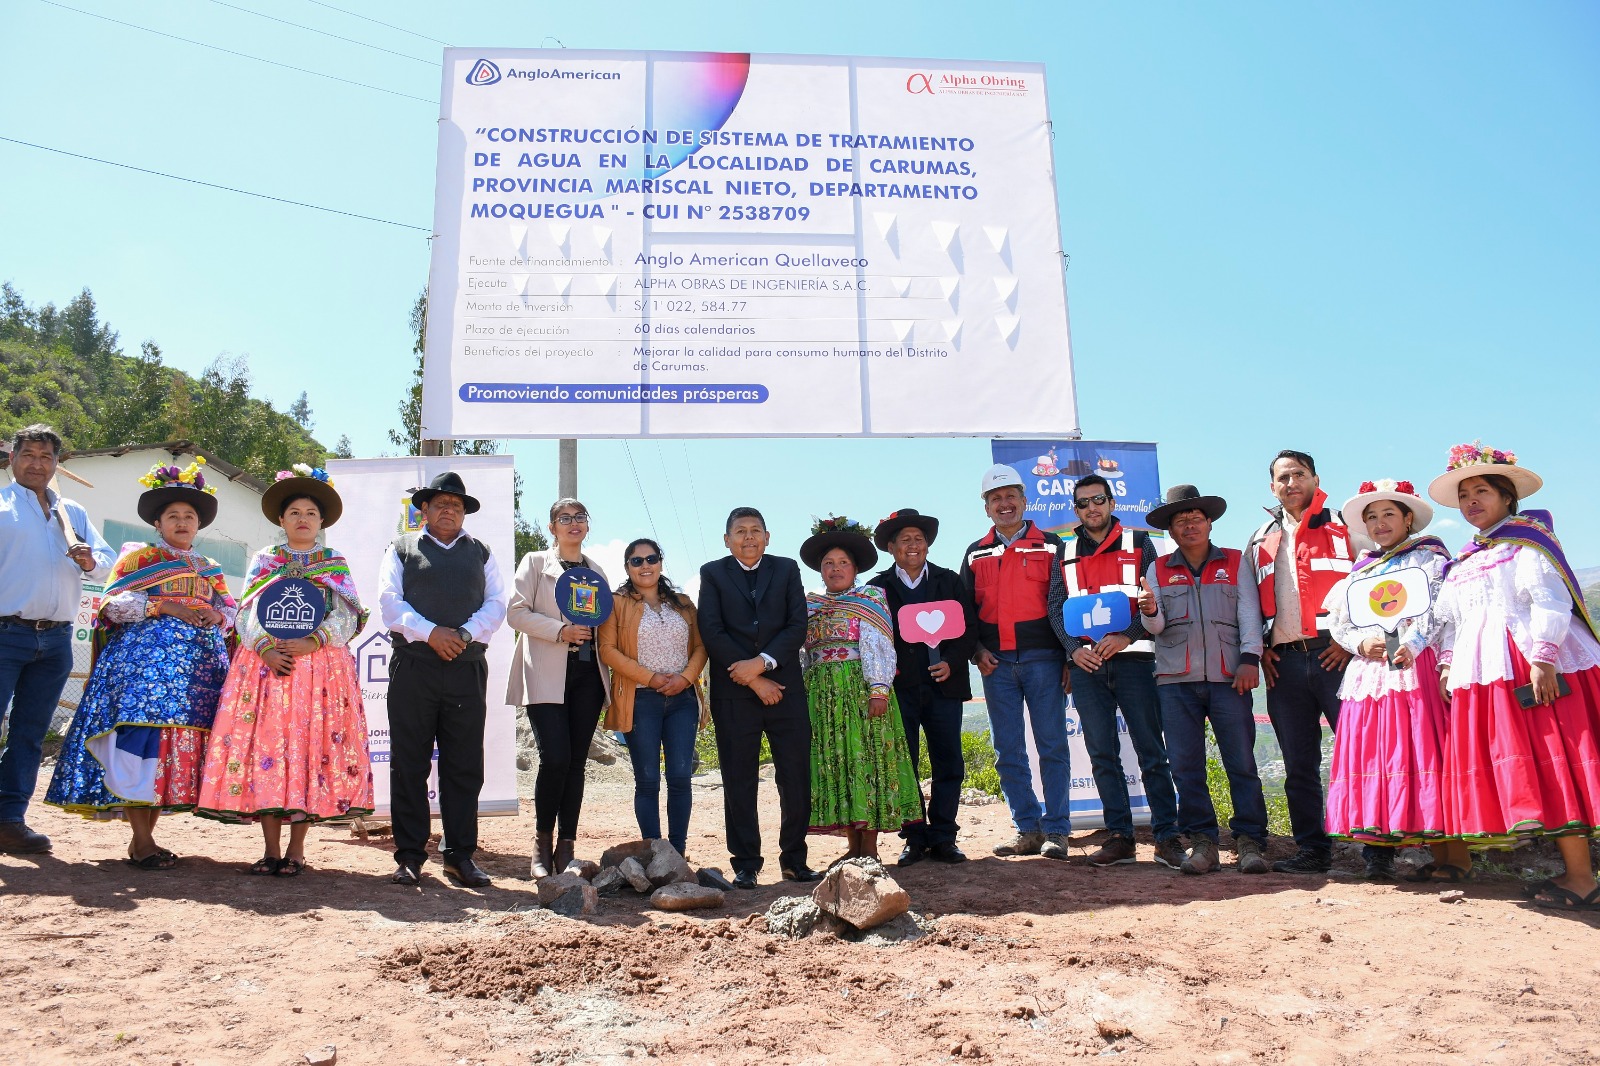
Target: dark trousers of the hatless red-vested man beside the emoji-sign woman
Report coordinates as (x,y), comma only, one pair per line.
(1303,697)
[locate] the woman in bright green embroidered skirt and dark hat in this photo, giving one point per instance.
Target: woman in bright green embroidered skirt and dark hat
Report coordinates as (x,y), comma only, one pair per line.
(863,780)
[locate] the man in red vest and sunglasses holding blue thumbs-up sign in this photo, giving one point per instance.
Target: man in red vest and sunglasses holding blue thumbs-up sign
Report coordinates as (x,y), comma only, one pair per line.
(1118,675)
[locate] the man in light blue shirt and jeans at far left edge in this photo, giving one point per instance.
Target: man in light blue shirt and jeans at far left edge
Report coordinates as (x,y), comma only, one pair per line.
(47,548)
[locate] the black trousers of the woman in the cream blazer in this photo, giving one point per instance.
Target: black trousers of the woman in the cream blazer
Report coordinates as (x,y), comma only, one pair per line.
(562,732)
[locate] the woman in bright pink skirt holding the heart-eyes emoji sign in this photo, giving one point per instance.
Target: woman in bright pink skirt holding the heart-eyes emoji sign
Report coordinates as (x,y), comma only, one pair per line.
(1390,751)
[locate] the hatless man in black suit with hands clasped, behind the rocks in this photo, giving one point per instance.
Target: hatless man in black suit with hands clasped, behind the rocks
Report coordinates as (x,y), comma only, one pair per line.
(753,622)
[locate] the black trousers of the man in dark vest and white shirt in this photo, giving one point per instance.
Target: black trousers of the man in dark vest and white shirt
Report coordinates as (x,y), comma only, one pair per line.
(446,703)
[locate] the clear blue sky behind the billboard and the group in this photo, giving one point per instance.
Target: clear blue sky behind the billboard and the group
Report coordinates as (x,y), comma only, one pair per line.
(1366,231)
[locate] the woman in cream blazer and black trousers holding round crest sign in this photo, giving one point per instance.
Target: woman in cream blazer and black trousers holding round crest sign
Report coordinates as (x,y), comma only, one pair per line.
(562,692)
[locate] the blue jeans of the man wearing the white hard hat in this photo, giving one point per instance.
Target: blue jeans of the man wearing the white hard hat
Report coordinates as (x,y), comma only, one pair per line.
(1034,679)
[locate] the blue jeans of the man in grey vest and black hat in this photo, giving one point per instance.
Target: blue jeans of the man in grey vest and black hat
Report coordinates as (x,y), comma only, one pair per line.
(1185,711)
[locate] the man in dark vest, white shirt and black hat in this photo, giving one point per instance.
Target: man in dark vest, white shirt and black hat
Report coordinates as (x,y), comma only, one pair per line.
(442,598)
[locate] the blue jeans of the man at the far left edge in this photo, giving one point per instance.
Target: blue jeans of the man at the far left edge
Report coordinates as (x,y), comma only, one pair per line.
(34,668)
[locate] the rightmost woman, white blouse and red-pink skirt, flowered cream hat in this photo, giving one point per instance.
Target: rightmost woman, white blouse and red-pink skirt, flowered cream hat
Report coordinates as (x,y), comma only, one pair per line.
(1521,668)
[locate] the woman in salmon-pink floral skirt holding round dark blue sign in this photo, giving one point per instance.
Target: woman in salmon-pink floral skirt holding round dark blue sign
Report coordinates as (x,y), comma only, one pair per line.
(290,735)
